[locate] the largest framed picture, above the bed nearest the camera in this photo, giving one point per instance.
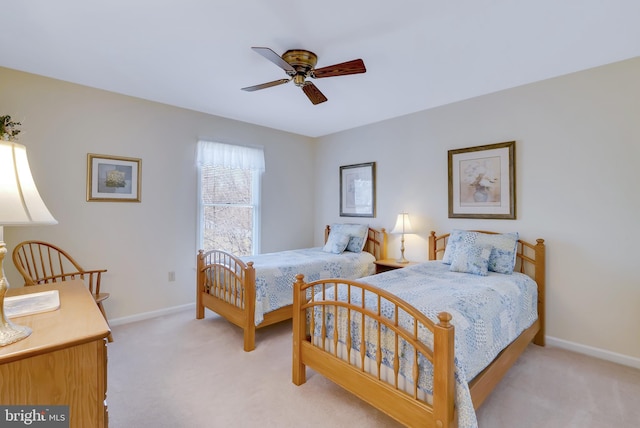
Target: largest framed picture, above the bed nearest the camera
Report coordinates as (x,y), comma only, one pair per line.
(482,182)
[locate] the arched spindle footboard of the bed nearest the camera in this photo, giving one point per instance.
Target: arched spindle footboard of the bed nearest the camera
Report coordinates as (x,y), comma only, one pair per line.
(385,389)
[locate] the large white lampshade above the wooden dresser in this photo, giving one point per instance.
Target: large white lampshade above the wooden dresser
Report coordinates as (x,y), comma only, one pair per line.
(20,202)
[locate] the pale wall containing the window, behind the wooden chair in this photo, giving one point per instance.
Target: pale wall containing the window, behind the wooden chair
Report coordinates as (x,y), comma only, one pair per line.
(139,243)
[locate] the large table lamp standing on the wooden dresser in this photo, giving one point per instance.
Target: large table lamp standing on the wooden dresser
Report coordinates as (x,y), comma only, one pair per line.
(20,204)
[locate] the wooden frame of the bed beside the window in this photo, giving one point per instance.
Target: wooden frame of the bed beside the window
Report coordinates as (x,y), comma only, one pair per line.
(219,270)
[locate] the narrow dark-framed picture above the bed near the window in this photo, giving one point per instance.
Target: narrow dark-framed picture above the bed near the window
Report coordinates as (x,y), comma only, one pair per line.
(358,190)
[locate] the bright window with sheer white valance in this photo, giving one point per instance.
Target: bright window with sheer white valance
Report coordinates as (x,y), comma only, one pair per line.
(229,197)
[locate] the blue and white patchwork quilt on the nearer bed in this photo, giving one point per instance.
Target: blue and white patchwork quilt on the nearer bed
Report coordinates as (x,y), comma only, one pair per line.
(488,312)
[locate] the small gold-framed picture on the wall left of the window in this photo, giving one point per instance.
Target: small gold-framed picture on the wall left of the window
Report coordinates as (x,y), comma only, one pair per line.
(113,178)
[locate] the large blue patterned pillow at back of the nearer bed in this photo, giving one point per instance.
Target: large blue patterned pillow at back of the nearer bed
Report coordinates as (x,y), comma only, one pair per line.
(503,248)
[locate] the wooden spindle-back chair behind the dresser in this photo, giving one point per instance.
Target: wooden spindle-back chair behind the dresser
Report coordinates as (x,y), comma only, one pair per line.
(43,263)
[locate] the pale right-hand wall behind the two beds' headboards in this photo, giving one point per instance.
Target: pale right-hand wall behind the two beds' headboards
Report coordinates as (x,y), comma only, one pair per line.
(577,174)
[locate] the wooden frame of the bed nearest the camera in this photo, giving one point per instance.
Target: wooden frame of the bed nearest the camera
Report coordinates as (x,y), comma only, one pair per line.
(406,407)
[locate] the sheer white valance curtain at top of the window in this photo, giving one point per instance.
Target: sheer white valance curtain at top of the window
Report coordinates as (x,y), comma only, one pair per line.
(230,156)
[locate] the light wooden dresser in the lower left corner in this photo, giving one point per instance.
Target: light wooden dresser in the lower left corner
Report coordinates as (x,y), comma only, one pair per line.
(64,360)
